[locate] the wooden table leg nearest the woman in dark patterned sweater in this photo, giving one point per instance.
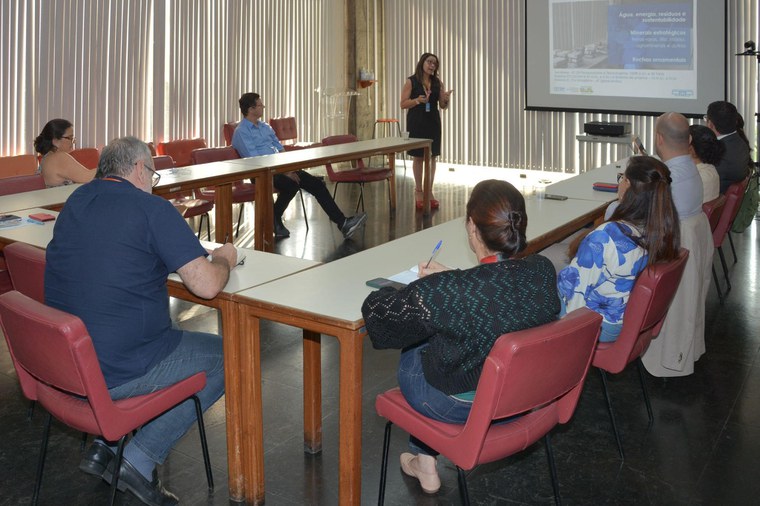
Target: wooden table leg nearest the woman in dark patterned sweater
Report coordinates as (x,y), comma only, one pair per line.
(350,418)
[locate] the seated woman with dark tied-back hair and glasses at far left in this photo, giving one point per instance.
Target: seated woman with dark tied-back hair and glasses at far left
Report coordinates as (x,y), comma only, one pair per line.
(57,166)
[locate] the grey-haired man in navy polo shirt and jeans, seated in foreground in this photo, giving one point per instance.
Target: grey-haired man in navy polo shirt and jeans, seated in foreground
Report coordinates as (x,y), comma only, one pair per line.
(114,245)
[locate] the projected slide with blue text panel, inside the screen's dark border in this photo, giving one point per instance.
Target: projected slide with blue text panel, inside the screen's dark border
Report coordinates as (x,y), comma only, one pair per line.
(629,49)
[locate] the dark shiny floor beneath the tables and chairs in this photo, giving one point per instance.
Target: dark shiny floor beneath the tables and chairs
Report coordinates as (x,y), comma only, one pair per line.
(704,447)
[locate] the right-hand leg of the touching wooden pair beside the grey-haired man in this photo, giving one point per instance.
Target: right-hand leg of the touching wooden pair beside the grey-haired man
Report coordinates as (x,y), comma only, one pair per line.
(251,417)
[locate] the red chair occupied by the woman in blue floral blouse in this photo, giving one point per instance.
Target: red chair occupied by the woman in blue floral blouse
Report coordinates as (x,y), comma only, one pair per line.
(645,312)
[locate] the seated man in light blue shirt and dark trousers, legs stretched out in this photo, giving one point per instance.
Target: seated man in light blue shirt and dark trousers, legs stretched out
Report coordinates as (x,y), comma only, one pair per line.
(254,137)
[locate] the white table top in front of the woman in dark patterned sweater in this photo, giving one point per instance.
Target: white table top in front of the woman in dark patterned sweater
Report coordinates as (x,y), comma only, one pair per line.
(344,280)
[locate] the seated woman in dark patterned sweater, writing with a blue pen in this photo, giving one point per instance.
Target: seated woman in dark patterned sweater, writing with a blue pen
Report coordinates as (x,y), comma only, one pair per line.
(446,322)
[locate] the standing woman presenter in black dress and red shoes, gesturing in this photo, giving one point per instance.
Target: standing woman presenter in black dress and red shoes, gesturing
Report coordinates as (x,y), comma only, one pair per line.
(423,93)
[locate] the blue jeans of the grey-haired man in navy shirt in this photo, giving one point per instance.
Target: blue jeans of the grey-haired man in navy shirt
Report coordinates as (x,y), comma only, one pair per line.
(196,352)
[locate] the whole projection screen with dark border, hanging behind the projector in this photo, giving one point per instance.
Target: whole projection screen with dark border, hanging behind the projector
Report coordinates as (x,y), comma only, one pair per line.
(643,56)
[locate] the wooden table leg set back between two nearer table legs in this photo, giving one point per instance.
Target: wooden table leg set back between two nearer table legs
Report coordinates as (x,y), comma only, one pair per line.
(312,392)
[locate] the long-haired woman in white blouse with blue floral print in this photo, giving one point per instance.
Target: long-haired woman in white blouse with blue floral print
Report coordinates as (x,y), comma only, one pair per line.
(642,231)
